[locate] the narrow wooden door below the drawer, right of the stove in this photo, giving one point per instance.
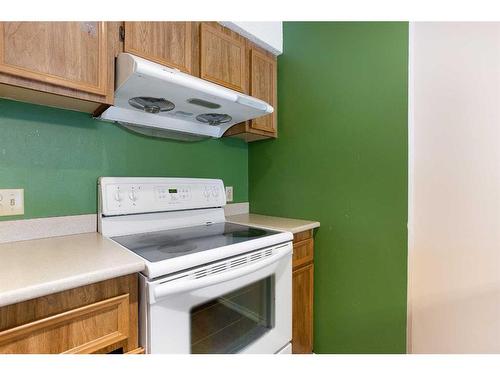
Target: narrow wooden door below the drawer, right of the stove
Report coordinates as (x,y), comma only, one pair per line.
(302,309)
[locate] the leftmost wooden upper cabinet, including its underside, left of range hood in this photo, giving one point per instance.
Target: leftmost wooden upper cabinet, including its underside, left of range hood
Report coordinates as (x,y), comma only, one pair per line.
(60,64)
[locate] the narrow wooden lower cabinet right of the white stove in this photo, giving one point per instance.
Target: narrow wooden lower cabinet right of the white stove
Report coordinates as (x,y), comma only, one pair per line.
(302,293)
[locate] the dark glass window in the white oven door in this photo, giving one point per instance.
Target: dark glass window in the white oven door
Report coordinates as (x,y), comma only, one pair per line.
(233,321)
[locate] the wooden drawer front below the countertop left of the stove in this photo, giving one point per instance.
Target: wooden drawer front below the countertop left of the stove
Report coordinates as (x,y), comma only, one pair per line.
(83,330)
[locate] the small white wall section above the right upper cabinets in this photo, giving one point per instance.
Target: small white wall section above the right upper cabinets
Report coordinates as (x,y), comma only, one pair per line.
(268,35)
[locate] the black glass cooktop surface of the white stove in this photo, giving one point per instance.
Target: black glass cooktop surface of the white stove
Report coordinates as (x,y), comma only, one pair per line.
(166,244)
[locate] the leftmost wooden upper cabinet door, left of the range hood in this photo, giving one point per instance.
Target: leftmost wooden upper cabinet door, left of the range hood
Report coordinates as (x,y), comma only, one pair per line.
(67,54)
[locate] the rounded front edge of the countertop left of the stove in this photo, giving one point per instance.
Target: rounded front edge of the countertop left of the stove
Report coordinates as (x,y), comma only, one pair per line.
(56,286)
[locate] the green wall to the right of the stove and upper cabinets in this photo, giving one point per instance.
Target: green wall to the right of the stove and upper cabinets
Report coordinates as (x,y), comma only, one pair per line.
(341,158)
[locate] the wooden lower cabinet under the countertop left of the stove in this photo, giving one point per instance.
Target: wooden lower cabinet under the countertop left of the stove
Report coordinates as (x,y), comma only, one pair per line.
(96,318)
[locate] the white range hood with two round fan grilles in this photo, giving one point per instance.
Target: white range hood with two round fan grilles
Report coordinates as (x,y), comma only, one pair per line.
(158,101)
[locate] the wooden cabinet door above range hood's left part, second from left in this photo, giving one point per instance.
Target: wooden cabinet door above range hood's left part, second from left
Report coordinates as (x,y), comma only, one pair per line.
(167,43)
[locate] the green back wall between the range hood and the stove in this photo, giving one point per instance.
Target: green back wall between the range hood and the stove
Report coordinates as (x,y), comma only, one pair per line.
(57,155)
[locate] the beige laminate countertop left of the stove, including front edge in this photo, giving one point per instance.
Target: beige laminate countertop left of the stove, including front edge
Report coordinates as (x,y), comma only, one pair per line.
(31,269)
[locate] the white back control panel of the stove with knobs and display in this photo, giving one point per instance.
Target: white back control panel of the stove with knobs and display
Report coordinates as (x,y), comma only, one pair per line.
(126,195)
